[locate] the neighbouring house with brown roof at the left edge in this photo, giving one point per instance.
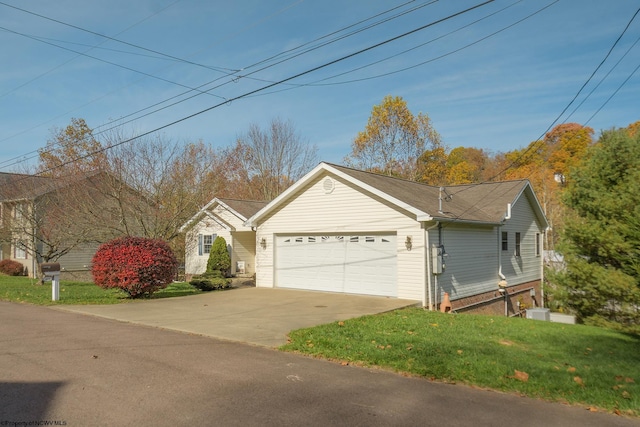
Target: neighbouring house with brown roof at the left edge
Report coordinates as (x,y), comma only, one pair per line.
(43,217)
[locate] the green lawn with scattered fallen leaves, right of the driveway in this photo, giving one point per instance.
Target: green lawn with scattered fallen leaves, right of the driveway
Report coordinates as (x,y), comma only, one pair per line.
(576,364)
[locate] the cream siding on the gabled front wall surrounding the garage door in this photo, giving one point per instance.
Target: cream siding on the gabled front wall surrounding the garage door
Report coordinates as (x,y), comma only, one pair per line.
(345,210)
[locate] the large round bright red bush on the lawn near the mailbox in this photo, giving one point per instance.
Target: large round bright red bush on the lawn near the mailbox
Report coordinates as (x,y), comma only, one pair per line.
(137,265)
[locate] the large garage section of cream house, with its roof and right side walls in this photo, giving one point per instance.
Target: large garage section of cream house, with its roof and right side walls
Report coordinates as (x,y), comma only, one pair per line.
(343,230)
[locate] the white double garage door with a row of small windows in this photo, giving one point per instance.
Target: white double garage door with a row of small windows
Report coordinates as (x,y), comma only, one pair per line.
(351,263)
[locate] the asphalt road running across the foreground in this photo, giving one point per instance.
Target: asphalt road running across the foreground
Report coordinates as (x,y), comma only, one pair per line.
(80,370)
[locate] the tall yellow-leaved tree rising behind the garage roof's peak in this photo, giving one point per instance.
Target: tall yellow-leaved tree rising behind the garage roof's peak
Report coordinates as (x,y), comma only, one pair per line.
(394,139)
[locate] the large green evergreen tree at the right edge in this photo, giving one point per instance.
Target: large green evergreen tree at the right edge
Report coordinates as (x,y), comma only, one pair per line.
(601,238)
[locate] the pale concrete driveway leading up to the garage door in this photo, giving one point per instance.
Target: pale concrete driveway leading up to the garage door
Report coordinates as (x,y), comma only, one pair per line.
(260,316)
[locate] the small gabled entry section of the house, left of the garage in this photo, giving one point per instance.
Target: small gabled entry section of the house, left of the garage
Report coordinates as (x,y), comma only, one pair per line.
(225,218)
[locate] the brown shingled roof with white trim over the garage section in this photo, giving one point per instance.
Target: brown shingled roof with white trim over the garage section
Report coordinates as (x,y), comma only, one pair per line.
(479,203)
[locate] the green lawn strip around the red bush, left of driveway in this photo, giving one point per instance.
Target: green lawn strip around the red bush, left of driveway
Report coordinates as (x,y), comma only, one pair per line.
(26,290)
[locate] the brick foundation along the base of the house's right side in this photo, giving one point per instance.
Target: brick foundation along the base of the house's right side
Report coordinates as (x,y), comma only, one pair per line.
(517,297)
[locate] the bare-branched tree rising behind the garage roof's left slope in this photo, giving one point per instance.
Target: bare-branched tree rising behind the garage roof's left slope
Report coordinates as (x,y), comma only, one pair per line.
(271,159)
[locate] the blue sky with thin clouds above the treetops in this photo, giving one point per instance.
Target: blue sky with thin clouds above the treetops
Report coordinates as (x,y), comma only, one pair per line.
(492,91)
